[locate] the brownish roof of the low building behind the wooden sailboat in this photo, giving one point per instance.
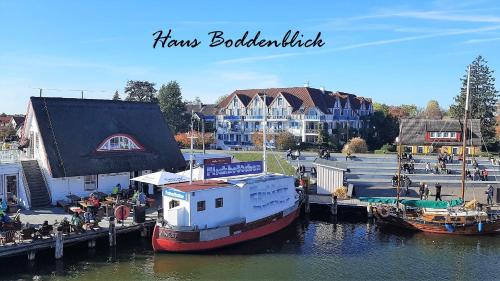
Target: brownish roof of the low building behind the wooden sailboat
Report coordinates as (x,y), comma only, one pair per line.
(413,131)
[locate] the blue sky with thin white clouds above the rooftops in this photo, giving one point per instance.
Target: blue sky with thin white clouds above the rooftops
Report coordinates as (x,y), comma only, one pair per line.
(392,51)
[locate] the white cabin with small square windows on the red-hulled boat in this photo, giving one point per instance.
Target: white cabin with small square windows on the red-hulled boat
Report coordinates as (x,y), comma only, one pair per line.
(209,204)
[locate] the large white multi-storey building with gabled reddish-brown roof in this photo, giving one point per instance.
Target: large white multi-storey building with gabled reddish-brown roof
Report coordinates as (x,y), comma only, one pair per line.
(298,110)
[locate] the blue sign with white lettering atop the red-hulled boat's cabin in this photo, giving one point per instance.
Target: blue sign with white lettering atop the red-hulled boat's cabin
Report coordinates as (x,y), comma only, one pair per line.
(233,169)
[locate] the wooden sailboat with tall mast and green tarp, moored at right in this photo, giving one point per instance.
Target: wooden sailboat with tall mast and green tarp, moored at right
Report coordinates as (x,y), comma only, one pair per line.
(452,217)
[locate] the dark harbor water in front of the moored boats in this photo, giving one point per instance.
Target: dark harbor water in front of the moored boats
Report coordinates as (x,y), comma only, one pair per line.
(314,248)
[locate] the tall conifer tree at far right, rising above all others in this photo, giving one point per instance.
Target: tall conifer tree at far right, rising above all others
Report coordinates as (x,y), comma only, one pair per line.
(482,100)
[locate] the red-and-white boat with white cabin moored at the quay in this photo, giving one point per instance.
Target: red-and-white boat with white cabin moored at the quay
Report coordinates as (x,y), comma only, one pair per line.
(209,214)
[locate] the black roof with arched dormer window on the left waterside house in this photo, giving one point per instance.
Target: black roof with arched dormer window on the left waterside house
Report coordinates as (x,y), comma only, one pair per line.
(79,126)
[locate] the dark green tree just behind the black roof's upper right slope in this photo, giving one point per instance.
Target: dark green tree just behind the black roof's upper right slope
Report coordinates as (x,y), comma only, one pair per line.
(173,108)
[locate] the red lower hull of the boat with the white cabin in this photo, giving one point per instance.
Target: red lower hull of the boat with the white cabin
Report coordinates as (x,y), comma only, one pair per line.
(171,245)
